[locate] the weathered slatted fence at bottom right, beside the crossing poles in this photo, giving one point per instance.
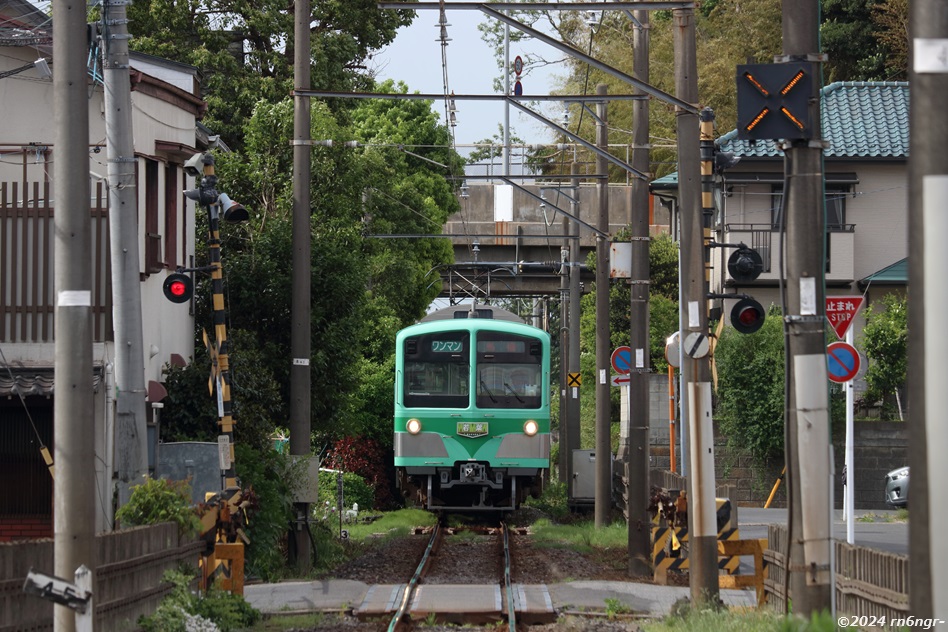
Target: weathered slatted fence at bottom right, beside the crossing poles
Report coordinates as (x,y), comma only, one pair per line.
(868,582)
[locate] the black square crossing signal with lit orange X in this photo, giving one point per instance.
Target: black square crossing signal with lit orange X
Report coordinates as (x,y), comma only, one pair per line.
(773,101)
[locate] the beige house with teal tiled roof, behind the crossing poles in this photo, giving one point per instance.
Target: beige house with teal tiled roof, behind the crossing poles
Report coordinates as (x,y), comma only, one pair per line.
(866,127)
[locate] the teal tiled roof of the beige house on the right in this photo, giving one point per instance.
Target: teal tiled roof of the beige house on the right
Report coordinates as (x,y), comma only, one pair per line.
(867,119)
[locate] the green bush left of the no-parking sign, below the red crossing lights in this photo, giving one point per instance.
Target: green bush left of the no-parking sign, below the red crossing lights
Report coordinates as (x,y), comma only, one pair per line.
(750,406)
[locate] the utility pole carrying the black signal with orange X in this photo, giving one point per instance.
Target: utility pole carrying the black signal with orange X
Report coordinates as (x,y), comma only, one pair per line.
(804,321)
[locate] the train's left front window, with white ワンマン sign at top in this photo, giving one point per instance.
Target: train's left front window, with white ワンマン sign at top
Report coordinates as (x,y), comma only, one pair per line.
(437,371)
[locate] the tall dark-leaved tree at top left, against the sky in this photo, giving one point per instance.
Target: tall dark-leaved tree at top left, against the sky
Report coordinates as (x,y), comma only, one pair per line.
(245,49)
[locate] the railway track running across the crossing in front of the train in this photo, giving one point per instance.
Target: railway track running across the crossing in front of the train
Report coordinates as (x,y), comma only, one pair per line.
(463,577)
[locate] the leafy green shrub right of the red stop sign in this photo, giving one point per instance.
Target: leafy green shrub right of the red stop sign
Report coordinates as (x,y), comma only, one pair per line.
(884,340)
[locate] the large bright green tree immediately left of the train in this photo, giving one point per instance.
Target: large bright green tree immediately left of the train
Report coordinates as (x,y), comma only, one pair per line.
(363,289)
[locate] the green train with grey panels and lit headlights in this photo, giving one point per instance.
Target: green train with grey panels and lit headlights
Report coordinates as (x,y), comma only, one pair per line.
(472,409)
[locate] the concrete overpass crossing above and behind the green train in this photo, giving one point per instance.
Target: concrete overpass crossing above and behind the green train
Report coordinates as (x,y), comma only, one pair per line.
(507,241)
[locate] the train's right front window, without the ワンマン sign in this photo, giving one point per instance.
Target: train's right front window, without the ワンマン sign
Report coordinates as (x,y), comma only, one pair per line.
(508,371)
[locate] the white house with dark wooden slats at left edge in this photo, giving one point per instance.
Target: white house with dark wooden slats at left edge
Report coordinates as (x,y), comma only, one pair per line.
(166,109)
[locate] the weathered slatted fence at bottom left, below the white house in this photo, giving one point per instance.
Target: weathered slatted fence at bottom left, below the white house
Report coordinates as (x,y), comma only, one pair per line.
(128,576)
